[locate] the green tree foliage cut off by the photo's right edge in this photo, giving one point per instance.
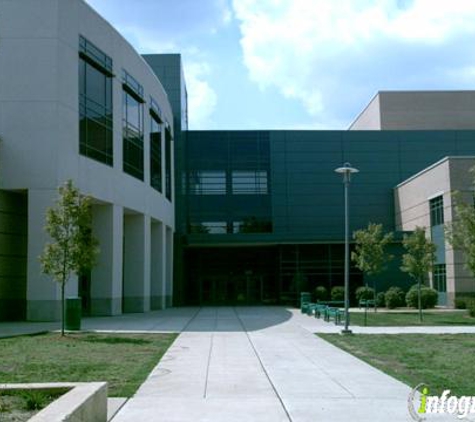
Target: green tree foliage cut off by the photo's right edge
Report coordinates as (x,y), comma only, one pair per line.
(460,232)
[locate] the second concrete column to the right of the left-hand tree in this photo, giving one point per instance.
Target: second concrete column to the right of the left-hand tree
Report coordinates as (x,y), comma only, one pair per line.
(136,290)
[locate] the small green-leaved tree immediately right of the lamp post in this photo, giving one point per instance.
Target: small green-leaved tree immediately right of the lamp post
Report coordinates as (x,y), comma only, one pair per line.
(370,255)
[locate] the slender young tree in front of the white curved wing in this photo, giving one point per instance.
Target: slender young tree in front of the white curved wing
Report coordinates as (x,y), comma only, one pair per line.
(73,248)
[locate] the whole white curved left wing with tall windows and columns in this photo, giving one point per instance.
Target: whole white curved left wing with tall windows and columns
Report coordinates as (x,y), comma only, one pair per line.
(78,102)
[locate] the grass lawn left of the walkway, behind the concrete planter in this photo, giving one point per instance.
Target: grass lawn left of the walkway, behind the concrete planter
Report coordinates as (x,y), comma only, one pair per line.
(123,360)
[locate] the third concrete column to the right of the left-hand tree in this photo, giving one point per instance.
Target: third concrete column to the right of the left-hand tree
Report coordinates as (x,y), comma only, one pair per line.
(157,263)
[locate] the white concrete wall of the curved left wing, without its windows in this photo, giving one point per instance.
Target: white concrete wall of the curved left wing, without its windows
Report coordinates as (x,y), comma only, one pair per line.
(39,125)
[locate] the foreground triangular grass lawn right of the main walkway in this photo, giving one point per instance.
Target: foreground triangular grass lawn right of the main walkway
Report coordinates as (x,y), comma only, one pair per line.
(442,361)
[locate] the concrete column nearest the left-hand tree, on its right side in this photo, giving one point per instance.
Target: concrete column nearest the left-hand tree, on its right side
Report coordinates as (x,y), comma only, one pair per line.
(106,276)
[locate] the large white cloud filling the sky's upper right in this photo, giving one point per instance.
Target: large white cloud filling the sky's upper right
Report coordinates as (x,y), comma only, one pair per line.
(329,54)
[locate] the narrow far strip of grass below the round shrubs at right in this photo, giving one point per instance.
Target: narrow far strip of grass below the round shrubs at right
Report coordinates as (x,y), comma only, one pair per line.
(394,319)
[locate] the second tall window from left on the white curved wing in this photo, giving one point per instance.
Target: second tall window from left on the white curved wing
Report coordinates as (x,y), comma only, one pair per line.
(132,118)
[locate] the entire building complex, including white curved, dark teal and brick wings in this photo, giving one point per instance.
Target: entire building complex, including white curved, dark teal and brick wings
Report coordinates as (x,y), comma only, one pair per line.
(198,217)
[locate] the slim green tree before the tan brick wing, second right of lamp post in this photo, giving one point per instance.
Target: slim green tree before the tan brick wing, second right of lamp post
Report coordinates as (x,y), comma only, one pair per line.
(418,259)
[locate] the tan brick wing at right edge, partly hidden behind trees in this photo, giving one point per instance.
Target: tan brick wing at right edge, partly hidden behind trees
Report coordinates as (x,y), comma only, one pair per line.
(426,200)
